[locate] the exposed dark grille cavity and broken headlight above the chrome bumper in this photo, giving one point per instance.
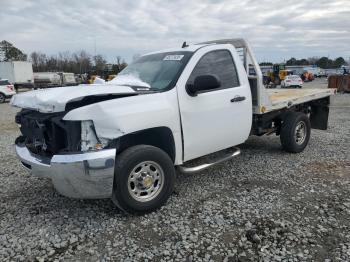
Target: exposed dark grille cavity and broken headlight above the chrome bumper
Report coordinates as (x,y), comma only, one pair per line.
(47,134)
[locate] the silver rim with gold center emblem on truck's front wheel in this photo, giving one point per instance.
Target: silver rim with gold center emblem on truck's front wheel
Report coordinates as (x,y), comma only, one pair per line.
(145,181)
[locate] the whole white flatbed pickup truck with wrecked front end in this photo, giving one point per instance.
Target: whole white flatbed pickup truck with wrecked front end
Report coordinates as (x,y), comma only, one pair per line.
(124,140)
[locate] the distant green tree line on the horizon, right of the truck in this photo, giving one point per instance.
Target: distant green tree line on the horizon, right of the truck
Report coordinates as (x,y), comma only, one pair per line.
(323,62)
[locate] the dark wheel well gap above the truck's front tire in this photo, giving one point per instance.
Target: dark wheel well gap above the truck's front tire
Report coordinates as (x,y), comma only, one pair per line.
(161,137)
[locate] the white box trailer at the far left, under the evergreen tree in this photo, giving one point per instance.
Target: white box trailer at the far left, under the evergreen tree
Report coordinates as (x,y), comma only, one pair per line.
(18,73)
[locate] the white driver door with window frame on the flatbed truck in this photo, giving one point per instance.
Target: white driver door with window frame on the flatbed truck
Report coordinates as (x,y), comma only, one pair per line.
(215,119)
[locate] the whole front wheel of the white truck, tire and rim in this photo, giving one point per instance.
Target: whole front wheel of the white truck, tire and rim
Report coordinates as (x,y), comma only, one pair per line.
(144,179)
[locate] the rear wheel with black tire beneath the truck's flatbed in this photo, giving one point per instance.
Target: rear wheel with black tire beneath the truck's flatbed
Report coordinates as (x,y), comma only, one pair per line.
(291,139)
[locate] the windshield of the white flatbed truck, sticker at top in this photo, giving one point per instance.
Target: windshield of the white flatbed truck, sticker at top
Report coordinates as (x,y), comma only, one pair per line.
(155,72)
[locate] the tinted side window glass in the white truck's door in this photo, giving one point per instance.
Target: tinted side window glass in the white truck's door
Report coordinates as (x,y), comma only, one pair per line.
(219,63)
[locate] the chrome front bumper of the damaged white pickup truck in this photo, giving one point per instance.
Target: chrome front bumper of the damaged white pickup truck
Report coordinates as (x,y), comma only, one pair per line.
(82,175)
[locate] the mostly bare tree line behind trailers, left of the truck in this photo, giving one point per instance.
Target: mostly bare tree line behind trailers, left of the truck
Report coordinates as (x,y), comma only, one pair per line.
(78,62)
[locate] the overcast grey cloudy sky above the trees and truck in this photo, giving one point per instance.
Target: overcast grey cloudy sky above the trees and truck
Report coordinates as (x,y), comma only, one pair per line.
(276,29)
